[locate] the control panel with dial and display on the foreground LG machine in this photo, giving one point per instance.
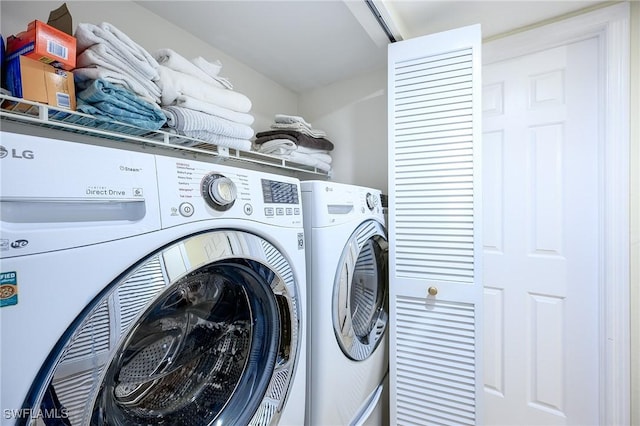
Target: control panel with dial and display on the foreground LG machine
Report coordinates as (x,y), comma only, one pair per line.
(193,190)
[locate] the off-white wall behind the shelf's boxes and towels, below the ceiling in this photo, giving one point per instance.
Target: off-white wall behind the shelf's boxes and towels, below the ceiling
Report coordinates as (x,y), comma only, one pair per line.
(153,33)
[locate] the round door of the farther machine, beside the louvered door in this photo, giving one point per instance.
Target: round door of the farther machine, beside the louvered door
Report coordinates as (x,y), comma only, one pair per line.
(360,292)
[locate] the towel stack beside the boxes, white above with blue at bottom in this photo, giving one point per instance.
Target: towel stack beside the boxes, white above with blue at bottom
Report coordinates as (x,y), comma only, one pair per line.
(115,78)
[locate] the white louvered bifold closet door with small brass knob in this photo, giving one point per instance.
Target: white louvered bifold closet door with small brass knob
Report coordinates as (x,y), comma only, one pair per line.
(434,223)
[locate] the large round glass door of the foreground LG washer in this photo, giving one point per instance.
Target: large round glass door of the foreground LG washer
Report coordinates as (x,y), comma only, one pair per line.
(205,331)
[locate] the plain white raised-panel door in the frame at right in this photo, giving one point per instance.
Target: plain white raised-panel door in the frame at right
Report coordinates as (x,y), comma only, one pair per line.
(542,191)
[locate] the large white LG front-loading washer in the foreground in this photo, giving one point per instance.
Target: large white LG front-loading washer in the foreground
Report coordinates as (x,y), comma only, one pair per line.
(147,289)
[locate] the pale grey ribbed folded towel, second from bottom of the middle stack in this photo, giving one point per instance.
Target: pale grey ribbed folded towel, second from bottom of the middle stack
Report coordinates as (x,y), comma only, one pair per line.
(184,119)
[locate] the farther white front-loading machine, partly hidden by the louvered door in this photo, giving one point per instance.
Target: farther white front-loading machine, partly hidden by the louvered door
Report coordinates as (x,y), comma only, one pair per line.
(347,285)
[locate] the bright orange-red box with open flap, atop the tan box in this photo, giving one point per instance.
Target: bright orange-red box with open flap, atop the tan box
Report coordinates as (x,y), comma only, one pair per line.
(46,44)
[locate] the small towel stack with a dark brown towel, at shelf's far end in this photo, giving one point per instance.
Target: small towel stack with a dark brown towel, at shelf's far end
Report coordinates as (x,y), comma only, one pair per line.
(294,139)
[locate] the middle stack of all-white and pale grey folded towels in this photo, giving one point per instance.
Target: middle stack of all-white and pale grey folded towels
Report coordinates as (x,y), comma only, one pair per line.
(200,104)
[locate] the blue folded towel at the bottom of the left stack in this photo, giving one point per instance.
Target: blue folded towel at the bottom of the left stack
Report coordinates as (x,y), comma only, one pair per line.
(107,102)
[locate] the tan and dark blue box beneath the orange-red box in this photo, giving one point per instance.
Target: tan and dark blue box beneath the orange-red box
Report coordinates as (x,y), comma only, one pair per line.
(35,81)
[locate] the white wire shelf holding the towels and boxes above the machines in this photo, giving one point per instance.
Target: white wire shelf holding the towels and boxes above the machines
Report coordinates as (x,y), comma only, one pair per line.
(41,115)
